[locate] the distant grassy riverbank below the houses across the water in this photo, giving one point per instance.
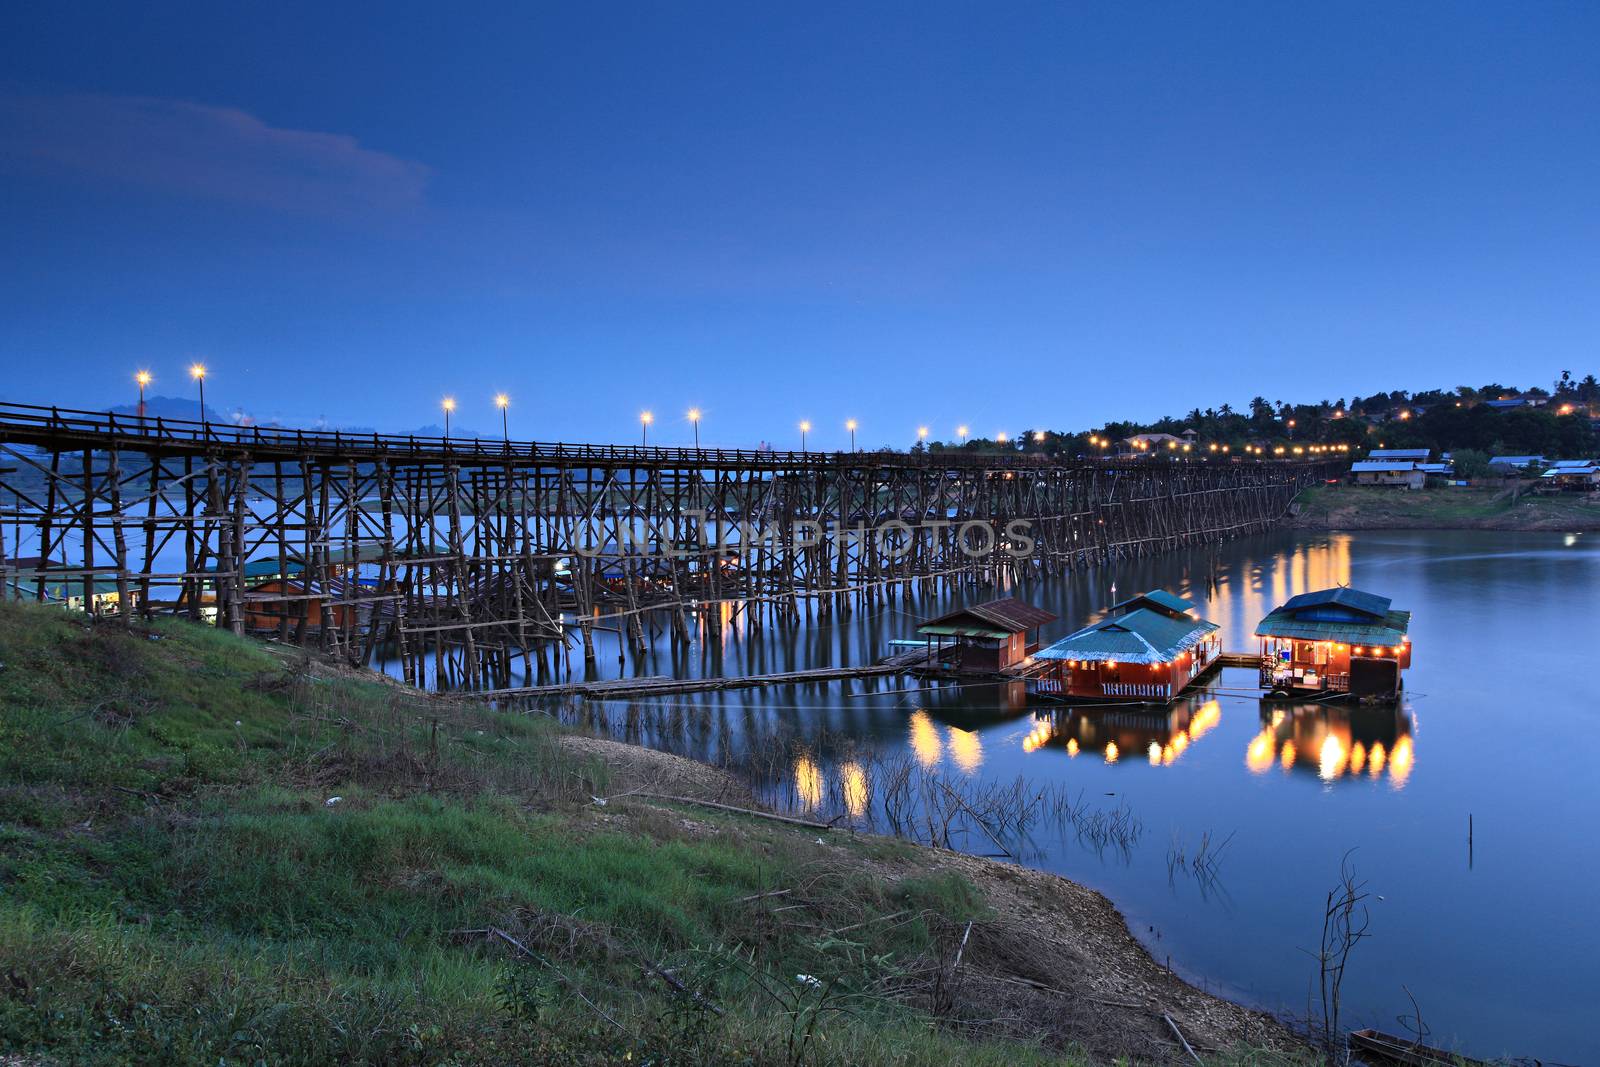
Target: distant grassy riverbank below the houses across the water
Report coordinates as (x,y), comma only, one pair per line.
(1385,508)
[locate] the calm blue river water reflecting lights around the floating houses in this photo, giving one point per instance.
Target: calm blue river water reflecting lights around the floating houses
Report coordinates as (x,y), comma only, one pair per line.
(1492,935)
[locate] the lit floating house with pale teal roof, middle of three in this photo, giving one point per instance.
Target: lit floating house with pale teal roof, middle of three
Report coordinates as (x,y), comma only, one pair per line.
(1148,650)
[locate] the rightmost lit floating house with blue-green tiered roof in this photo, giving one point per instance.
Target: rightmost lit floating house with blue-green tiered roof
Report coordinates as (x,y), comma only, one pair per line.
(1335,642)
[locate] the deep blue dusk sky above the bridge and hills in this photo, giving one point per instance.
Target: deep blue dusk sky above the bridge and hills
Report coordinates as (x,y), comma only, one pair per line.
(918,214)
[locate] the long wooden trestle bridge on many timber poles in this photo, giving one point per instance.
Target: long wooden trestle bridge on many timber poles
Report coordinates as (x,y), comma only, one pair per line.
(481,561)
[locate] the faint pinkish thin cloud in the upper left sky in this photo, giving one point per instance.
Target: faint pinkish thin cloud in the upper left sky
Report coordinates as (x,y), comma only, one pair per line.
(201,151)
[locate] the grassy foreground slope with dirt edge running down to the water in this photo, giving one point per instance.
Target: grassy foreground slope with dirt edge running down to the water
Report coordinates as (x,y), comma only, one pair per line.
(222,852)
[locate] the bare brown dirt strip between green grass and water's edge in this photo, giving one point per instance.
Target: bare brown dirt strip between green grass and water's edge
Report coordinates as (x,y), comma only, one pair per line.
(1052,961)
